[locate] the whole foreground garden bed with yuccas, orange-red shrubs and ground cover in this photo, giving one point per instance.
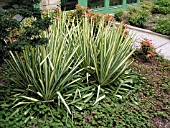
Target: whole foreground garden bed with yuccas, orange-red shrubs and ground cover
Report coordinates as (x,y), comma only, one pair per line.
(87,75)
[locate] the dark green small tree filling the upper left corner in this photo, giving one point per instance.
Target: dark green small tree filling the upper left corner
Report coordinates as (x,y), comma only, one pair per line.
(13,34)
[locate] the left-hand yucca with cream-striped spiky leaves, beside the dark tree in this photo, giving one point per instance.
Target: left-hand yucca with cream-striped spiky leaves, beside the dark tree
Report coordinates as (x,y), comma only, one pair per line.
(45,73)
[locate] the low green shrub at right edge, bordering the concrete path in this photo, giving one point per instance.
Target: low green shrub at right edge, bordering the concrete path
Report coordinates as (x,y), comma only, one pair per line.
(162,26)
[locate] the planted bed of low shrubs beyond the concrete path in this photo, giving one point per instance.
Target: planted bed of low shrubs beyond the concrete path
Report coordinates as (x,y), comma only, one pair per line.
(154,16)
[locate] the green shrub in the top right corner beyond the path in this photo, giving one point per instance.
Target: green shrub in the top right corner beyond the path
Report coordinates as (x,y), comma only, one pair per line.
(162,7)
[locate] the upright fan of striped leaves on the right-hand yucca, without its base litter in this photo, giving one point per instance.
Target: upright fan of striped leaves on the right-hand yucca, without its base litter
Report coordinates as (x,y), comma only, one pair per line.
(106,51)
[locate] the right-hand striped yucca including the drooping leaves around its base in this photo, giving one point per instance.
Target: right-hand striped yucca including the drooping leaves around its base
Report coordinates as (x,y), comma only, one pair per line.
(105,55)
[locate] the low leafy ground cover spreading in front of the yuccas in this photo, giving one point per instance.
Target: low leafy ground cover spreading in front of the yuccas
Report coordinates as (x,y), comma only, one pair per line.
(145,107)
